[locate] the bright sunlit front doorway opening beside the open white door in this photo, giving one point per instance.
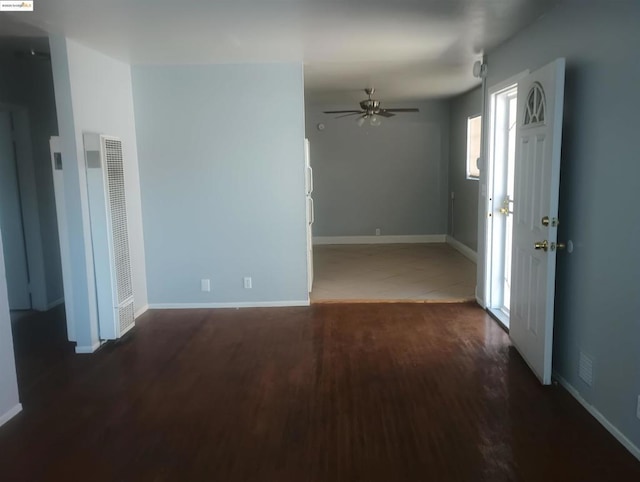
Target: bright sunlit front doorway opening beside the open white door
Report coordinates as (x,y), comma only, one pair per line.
(503,104)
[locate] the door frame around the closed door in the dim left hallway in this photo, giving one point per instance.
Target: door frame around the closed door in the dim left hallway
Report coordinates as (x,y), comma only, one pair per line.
(29,202)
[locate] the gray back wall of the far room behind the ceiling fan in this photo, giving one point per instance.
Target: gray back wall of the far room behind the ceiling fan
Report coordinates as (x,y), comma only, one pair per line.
(392,177)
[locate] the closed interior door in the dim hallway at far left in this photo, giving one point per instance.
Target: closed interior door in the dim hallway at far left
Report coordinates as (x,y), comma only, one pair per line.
(15,255)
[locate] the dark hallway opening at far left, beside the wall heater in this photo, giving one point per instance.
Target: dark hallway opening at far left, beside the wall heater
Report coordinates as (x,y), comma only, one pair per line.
(28,220)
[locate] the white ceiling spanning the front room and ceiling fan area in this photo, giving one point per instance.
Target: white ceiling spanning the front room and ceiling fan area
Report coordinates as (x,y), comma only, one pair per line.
(407,49)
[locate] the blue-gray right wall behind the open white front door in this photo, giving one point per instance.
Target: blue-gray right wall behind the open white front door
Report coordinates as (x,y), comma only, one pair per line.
(597,289)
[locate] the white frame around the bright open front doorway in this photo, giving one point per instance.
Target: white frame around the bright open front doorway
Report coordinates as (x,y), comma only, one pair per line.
(487,202)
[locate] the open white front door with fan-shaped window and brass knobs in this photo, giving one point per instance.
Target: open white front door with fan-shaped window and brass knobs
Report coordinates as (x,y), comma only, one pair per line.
(537,180)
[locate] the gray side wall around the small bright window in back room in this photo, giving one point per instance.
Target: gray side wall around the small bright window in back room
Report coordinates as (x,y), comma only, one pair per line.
(463,209)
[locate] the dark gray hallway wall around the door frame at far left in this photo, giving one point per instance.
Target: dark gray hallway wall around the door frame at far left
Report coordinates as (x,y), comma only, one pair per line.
(29,83)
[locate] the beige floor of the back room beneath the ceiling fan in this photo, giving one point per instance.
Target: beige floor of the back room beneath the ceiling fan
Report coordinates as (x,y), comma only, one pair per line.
(420,272)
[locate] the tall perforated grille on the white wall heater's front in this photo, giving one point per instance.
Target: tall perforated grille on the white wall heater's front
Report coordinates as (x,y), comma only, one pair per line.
(116,194)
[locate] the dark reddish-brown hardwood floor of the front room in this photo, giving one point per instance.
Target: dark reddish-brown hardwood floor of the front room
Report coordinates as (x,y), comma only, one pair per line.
(347,392)
